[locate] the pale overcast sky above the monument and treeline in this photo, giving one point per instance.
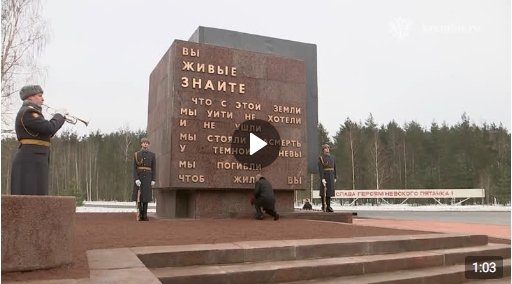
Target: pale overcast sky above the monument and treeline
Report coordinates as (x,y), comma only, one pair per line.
(403,60)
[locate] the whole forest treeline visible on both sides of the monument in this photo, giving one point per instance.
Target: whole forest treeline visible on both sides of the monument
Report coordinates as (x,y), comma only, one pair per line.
(98,166)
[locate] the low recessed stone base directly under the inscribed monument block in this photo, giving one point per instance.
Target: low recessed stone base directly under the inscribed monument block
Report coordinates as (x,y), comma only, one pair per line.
(201,203)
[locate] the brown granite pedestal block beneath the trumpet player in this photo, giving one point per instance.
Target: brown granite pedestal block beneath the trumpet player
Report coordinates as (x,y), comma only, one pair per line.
(37,231)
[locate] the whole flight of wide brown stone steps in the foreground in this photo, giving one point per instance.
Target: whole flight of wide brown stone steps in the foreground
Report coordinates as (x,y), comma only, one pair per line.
(417,259)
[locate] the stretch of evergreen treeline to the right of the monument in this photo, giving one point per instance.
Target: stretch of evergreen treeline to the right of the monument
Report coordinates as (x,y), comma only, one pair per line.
(412,157)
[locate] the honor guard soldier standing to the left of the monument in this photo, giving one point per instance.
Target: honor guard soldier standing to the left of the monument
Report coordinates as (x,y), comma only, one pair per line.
(144,174)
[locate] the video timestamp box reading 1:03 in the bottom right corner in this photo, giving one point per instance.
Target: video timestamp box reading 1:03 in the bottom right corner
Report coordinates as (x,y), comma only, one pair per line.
(483,267)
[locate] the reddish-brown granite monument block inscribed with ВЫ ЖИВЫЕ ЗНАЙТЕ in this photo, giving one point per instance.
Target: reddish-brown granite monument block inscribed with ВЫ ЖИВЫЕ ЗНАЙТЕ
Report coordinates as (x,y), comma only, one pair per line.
(204,102)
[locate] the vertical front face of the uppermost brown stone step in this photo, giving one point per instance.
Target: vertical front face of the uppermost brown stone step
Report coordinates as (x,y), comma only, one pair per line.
(258,251)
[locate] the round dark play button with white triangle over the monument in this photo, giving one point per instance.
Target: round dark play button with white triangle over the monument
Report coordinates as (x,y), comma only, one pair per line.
(261,143)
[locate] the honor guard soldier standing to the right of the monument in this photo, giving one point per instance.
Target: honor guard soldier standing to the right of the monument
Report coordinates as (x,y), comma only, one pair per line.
(327,171)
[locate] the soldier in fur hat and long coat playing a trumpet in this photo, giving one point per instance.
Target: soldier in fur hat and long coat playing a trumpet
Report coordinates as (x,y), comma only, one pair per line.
(30,166)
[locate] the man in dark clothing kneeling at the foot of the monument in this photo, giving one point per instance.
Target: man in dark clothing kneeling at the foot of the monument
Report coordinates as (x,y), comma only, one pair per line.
(264,198)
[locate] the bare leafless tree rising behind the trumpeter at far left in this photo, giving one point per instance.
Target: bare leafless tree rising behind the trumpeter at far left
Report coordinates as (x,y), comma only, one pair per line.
(25,34)
